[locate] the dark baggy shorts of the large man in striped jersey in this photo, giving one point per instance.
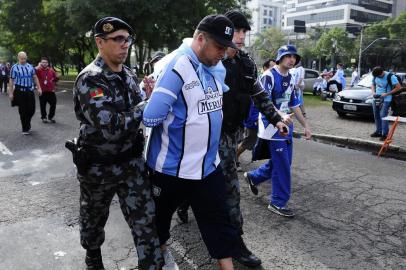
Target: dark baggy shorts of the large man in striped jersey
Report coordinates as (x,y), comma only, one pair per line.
(207,198)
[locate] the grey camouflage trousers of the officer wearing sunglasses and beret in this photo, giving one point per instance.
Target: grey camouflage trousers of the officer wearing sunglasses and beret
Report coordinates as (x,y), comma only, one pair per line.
(132,186)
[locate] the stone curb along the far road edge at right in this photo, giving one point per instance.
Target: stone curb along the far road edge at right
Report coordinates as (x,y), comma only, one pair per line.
(393,151)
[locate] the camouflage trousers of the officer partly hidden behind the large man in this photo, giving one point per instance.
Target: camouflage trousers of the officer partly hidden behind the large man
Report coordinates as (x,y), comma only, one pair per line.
(228,155)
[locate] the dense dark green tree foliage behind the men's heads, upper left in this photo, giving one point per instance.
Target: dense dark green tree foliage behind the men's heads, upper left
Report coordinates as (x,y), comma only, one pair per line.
(57,28)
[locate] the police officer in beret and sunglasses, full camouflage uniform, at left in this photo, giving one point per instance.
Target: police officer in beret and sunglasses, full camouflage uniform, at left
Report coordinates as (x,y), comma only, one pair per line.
(106,95)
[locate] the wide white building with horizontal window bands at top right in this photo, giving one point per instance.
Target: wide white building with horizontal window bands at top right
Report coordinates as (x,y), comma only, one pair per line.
(348,14)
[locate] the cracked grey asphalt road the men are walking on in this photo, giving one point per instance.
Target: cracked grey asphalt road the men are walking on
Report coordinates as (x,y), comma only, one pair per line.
(350,207)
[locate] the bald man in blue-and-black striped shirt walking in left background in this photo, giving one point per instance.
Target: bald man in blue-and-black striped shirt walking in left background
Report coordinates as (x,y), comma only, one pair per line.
(21,92)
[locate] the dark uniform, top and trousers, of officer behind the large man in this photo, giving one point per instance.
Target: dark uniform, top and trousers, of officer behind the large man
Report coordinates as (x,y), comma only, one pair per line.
(244,87)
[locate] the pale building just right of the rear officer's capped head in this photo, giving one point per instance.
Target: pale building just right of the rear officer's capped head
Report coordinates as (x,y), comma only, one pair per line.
(264,14)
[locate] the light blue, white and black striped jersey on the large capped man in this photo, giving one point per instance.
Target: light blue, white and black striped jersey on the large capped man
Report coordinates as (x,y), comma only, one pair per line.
(187,121)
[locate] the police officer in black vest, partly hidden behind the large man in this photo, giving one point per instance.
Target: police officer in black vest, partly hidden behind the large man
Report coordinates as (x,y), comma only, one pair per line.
(241,72)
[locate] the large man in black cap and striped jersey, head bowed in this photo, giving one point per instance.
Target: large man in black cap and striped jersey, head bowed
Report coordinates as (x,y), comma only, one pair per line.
(185,110)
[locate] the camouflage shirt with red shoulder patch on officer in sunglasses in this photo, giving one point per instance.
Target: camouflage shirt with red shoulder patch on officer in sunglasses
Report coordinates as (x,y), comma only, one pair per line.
(105,104)
